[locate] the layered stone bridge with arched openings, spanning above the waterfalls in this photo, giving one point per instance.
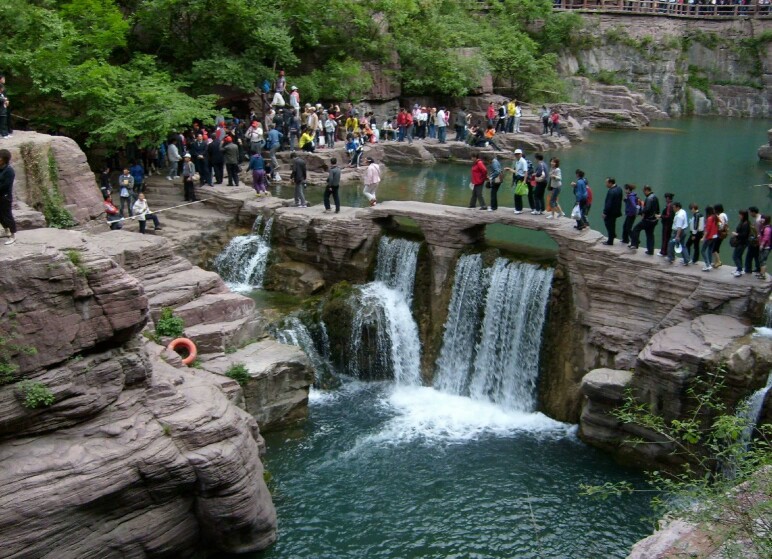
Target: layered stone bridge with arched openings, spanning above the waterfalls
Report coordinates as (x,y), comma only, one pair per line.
(592,278)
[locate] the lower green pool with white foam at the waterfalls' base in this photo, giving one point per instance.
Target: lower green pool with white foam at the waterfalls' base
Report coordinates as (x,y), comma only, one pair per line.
(385,472)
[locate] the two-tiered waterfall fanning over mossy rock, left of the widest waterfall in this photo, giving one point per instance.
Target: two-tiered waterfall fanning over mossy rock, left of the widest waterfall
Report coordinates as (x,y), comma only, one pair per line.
(384,336)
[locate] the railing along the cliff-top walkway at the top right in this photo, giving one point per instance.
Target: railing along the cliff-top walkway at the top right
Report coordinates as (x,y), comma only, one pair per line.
(672,8)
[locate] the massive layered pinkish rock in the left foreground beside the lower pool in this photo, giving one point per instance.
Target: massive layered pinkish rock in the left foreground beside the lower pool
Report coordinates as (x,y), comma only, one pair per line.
(133,457)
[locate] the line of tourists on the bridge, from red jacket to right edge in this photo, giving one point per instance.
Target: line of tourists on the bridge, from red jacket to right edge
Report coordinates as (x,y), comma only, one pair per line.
(688,235)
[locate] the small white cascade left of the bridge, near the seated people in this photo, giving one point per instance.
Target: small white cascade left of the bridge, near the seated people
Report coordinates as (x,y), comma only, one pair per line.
(242,263)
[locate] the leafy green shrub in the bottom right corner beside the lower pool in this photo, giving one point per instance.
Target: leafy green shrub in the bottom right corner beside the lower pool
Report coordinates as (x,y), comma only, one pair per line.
(719,464)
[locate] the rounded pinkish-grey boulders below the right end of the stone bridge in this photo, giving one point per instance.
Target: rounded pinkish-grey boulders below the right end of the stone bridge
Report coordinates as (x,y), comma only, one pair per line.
(664,371)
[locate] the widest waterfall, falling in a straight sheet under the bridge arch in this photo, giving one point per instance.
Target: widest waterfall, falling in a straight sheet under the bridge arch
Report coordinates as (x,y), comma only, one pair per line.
(492,337)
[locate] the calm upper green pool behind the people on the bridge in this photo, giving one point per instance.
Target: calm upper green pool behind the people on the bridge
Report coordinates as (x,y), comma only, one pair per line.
(706,160)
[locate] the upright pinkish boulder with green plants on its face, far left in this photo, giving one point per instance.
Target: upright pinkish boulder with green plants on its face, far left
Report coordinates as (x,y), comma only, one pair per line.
(46,163)
